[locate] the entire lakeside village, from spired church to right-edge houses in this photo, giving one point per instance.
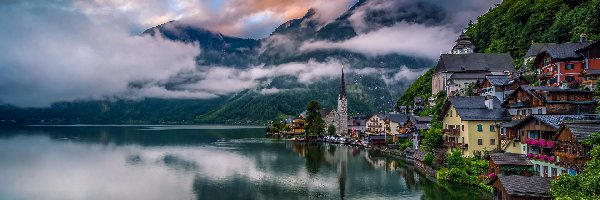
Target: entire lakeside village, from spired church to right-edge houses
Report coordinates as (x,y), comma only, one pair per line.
(527,120)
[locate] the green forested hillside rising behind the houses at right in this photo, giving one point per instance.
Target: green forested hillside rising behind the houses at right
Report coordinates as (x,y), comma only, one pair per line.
(513,25)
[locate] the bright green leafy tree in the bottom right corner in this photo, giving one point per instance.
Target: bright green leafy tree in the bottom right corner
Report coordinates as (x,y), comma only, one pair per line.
(585,185)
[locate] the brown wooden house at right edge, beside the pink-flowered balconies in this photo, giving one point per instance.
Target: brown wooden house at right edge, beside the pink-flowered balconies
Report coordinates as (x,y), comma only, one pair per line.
(572,153)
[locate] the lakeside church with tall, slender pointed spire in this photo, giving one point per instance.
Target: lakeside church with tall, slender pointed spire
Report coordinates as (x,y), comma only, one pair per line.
(339,117)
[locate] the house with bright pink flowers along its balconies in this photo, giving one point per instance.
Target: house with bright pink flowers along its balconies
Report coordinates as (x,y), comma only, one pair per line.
(537,133)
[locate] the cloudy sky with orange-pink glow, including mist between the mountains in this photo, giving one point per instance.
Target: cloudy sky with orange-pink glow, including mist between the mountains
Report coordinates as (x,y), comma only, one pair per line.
(68,50)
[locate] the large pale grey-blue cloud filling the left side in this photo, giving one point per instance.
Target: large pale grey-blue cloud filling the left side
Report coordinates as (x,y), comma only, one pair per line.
(52,55)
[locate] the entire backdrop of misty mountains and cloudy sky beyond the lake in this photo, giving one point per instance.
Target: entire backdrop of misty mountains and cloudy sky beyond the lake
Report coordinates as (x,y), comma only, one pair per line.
(230,54)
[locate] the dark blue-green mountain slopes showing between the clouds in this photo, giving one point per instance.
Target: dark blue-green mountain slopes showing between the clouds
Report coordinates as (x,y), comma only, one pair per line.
(367,92)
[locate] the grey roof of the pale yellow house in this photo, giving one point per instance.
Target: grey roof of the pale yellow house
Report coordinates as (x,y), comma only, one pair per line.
(473,108)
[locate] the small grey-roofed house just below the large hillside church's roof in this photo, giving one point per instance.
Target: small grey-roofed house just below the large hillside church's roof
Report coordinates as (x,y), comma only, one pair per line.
(499,86)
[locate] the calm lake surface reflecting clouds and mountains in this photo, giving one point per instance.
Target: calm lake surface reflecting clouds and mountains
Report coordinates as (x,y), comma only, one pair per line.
(198,162)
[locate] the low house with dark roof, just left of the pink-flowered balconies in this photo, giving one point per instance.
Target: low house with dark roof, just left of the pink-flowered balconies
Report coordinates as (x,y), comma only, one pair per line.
(503,163)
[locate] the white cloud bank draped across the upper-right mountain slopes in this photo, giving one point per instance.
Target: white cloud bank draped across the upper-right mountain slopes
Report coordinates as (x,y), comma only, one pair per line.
(430,27)
